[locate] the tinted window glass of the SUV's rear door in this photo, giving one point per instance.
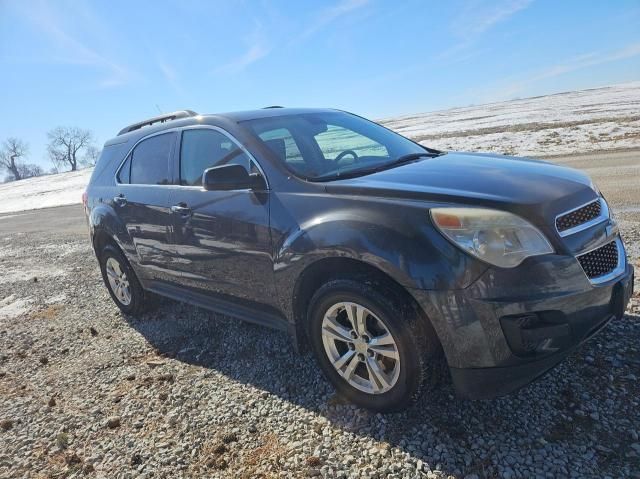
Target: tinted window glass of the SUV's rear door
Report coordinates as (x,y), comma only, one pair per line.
(150,161)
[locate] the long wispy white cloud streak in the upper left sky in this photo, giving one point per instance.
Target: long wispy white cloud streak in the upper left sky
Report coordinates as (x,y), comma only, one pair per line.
(70,50)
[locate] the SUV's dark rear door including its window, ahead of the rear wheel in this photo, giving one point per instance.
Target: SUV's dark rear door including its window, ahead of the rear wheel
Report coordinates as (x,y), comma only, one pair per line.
(142,202)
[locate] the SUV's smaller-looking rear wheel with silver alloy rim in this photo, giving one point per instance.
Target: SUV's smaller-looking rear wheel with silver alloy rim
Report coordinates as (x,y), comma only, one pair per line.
(137,301)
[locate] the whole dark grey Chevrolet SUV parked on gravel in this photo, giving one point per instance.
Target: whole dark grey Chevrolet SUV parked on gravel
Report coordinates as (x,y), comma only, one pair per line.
(390,260)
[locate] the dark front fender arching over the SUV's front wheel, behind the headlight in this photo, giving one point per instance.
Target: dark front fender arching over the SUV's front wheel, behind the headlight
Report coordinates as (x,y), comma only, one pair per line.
(398,240)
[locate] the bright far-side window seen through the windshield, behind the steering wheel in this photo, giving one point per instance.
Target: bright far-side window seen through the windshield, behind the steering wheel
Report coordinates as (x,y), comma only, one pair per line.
(337,139)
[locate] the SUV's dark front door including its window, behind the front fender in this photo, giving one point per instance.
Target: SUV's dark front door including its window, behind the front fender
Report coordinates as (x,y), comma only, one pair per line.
(222,239)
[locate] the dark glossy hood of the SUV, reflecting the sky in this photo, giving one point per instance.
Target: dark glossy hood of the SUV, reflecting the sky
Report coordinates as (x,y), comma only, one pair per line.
(472,178)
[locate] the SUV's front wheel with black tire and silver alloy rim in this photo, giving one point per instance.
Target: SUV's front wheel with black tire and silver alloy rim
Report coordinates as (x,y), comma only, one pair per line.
(374,384)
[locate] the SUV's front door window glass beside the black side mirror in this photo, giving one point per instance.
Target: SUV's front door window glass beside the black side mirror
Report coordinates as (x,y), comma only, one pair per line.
(205,148)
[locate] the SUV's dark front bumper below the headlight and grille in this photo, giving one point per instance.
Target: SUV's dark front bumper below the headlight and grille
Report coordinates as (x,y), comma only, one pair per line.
(512,326)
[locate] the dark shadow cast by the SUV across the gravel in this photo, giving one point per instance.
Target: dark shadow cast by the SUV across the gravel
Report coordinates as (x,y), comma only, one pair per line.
(549,425)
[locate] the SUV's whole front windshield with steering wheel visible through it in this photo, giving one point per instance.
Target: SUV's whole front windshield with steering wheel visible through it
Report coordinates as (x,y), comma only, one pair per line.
(328,145)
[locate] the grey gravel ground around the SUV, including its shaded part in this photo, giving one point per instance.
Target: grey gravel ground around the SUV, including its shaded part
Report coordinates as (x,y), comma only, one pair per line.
(181,392)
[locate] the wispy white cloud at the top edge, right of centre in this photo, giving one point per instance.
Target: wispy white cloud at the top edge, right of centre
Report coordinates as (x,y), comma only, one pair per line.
(479,17)
